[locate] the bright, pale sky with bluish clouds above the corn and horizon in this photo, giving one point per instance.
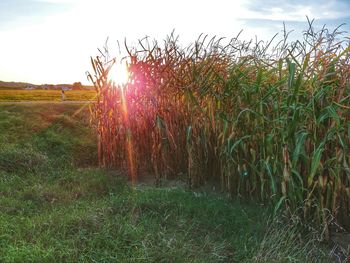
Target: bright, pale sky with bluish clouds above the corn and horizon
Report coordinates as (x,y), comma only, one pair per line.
(51,41)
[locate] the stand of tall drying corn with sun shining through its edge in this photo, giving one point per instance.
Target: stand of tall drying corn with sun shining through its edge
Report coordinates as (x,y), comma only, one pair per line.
(268,121)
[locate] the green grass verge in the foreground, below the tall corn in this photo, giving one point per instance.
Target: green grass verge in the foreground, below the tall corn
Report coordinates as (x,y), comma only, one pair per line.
(56,206)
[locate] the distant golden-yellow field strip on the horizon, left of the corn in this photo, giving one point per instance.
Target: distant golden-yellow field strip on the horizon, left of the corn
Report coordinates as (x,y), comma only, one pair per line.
(46,95)
